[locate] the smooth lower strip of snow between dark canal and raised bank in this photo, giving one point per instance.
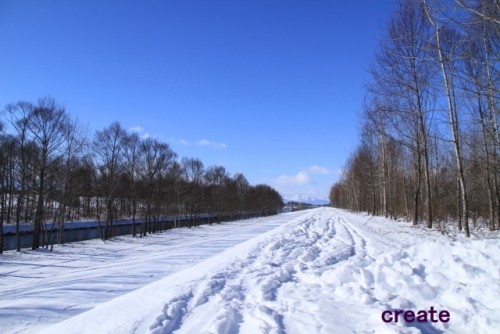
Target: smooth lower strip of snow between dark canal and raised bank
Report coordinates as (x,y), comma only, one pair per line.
(40,288)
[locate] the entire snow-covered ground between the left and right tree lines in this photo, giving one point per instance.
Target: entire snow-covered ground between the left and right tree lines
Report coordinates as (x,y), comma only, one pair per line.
(319,271)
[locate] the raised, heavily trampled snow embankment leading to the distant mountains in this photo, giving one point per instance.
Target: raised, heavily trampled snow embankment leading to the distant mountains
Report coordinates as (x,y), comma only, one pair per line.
(323,271)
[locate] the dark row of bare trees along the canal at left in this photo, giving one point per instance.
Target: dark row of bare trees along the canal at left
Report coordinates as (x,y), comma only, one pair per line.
(51,173)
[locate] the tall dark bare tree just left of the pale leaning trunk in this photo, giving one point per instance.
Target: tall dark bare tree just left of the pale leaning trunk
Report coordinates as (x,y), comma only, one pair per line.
(402,72)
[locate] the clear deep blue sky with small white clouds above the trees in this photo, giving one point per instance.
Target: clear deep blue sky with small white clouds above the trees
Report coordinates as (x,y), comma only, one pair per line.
(271,89)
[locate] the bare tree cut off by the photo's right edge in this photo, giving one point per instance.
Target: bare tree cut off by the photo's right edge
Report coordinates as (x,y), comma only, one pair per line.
(478,84)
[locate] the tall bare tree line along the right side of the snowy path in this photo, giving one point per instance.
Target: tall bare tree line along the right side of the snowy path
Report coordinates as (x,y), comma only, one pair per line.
(429,147)
